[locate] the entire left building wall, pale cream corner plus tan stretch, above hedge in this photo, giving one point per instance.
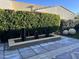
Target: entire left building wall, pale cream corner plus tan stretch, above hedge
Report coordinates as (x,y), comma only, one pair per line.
(14,5)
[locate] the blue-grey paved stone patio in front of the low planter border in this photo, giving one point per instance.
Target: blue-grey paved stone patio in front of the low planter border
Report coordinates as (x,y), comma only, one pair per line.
(66,48)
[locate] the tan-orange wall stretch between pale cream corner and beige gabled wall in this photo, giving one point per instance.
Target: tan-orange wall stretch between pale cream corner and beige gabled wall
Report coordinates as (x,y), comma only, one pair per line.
(23,6)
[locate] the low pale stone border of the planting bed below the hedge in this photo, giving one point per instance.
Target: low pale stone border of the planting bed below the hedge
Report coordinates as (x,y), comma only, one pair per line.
(12,44)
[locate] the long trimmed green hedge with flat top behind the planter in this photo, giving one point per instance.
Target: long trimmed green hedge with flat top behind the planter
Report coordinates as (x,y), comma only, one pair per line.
(11,20)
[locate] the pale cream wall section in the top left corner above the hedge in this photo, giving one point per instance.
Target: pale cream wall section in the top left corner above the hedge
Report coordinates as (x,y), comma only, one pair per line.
(5,4)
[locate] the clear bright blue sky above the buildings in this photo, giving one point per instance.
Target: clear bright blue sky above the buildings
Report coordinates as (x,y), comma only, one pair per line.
(72,5)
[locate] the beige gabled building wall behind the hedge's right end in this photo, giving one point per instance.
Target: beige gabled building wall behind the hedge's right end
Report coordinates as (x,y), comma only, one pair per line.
(59,10)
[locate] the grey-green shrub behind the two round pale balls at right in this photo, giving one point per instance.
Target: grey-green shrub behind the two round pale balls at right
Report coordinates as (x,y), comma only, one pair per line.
(69,24)
